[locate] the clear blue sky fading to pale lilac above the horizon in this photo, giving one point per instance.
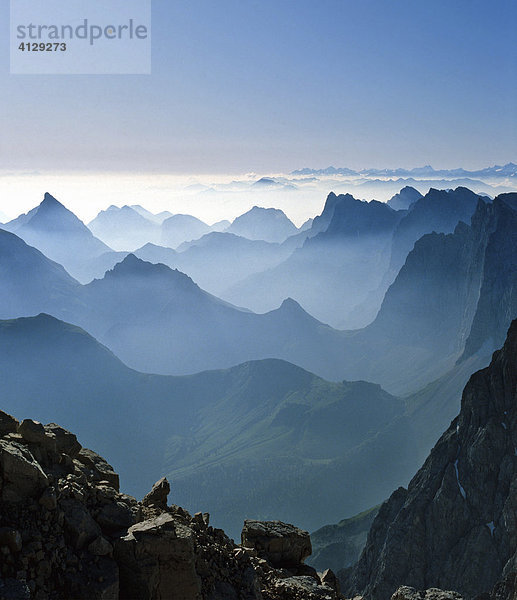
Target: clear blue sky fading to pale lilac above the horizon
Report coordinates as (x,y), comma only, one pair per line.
(275,85)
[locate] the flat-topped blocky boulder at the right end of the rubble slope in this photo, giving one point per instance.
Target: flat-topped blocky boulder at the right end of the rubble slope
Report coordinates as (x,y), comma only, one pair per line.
(281,544)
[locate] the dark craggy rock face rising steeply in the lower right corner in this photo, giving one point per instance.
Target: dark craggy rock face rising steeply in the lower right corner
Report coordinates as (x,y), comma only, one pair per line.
(455,527)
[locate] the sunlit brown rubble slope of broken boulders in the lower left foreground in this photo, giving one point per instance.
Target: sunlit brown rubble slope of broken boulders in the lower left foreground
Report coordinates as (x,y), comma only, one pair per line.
(67,532)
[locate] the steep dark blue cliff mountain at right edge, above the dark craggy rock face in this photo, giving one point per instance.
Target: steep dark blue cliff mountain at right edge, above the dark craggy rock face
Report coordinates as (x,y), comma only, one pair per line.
(428,315)
